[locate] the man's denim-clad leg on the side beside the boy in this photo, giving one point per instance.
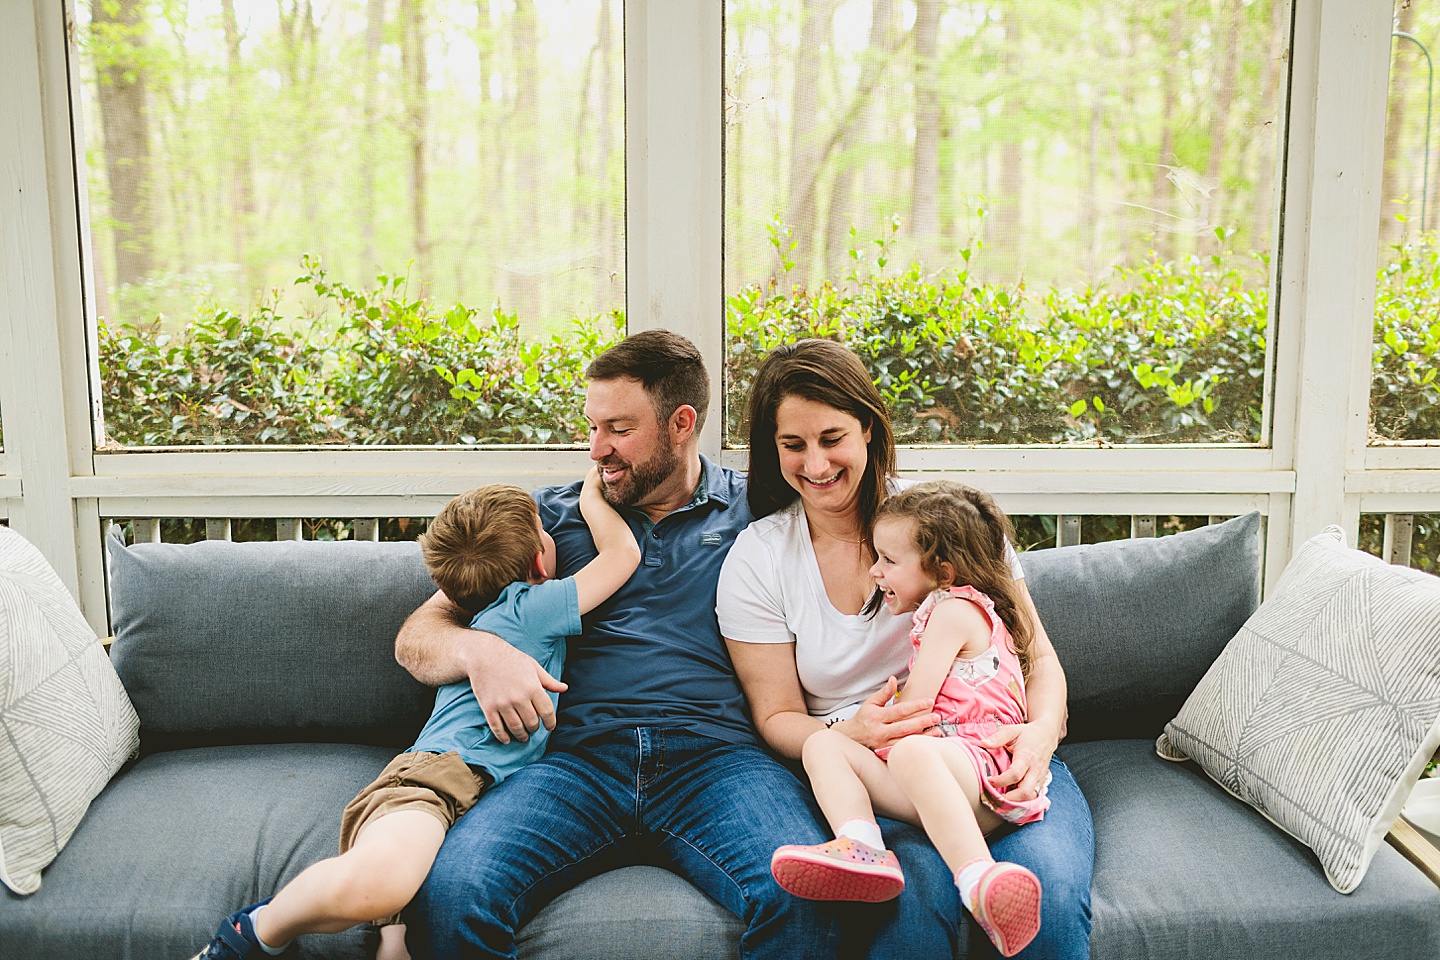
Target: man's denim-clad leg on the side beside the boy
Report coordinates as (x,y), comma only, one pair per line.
(542,831)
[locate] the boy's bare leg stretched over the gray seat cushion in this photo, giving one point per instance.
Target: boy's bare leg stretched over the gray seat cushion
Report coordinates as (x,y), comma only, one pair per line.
(374,879)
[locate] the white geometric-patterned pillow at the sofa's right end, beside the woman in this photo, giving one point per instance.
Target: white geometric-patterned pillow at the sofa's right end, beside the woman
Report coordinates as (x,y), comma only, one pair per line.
(1326,707)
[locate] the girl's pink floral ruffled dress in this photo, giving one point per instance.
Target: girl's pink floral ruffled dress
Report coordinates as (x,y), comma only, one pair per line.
(978,696)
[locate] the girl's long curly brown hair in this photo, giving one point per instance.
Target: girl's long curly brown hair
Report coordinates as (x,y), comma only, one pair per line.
(967,529)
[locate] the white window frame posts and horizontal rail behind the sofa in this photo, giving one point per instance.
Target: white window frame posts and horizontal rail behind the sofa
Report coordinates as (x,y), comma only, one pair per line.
(1317,471)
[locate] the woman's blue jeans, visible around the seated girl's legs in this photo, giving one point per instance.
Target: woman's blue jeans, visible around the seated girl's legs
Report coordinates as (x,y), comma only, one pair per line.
(927,920)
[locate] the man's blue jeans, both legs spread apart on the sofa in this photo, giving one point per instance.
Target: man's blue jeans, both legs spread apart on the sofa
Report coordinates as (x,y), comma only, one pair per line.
(709,811)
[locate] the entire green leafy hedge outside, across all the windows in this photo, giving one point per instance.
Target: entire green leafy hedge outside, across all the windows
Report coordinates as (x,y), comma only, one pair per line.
(1167,352)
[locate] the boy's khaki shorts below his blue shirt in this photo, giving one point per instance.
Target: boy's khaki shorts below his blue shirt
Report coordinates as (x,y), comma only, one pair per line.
(440,784)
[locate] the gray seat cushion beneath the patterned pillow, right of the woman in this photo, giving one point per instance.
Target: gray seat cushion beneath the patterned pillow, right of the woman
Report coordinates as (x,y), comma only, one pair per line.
(1184,870)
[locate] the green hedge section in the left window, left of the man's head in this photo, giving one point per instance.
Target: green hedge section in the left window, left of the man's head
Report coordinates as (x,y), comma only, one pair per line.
(388,369)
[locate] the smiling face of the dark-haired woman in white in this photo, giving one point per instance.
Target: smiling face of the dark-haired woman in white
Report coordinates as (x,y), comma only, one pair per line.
(823,454)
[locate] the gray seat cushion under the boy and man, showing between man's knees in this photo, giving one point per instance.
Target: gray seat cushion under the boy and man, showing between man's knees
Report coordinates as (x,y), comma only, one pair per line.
(185,837)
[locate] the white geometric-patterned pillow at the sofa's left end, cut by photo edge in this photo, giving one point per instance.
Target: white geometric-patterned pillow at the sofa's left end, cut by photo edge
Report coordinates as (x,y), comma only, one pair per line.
(66,722)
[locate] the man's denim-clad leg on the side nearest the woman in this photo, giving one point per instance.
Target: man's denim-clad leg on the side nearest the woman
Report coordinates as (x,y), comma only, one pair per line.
(718,812)
